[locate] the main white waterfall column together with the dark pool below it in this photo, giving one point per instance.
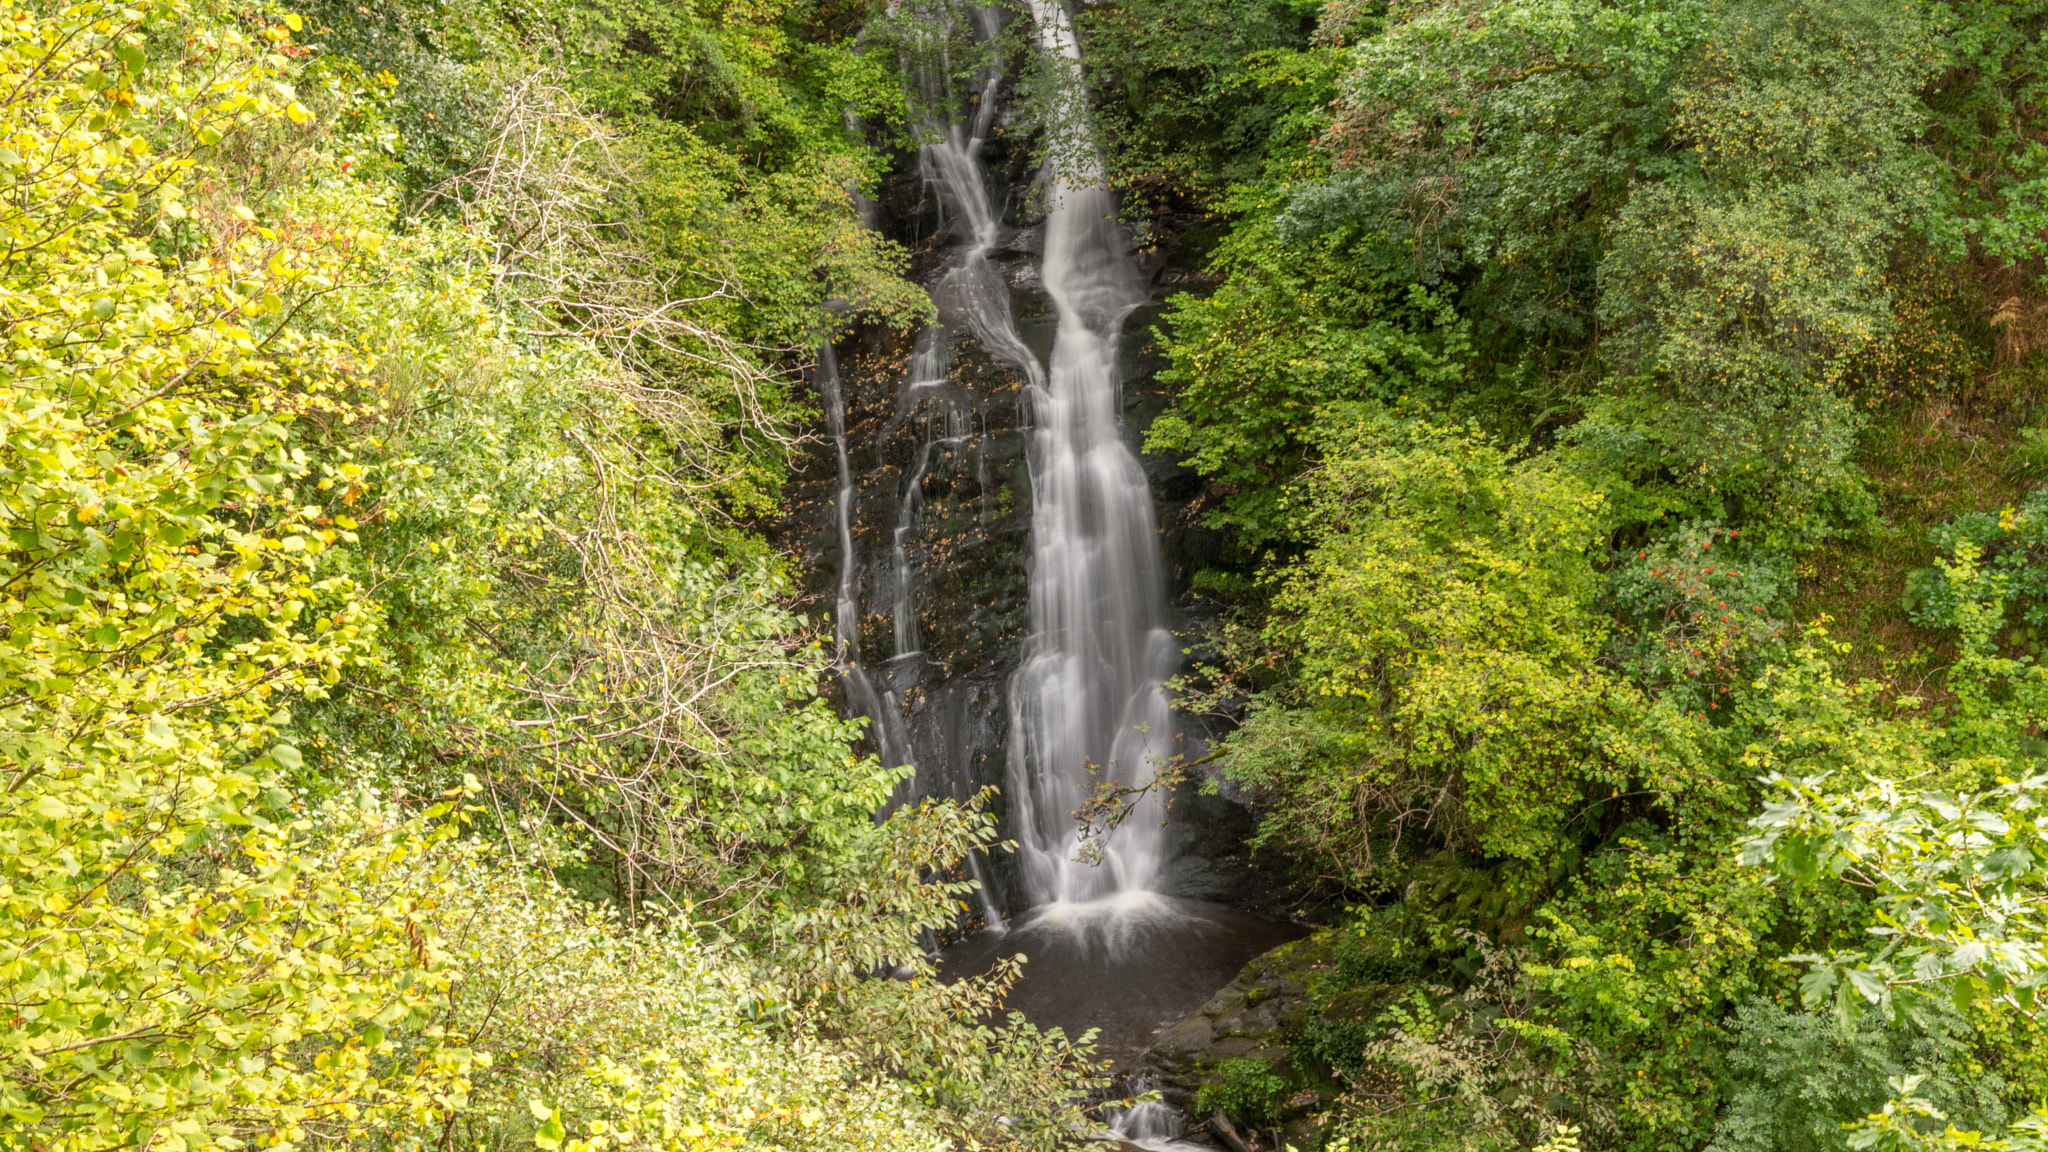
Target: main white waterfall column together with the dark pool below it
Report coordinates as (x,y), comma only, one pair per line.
(1109,948)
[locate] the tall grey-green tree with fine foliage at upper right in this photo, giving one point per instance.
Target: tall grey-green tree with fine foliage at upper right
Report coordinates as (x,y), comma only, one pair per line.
(1750,282)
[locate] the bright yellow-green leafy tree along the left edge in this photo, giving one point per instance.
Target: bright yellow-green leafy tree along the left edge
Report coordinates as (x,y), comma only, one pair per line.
(187,954)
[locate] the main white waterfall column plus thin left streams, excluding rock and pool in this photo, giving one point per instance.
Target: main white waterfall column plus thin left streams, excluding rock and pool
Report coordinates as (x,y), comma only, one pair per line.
(1084,704)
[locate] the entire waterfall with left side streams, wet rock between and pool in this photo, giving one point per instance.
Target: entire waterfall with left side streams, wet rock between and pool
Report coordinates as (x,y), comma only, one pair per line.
(1080,702)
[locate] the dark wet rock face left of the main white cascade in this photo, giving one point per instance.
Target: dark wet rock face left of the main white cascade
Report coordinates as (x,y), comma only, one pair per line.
(941,513)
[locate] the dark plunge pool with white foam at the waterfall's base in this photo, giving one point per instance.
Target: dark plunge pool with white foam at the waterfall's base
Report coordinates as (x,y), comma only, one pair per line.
(1129,966)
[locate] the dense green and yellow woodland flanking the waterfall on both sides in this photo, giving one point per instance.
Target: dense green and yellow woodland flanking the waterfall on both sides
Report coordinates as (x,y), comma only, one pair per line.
(1621,425)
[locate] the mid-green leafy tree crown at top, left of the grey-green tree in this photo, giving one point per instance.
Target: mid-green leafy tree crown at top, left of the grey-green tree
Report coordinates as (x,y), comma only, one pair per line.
(1492,145)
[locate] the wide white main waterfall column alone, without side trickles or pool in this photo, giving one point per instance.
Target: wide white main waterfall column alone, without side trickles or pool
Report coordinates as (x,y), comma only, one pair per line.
(1086,704)
